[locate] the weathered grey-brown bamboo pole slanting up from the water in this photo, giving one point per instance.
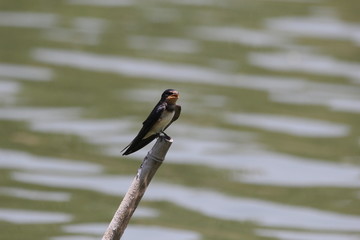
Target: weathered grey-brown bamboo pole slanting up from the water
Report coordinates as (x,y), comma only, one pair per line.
(147,170)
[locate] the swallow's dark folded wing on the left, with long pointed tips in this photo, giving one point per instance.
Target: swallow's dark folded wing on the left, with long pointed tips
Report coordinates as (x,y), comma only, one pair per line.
(138,141)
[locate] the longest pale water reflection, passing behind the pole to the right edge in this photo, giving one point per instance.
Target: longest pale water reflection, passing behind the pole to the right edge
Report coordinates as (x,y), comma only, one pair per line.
(207,202)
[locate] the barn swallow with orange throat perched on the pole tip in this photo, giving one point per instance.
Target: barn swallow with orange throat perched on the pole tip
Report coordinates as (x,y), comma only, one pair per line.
(164,113)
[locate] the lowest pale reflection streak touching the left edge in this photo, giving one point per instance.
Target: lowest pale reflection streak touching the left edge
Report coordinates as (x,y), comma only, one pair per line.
(33,217)
